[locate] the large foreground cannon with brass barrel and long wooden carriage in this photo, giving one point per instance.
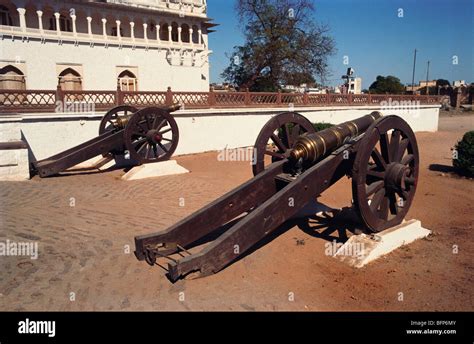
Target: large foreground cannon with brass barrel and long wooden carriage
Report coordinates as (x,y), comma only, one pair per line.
(293,162)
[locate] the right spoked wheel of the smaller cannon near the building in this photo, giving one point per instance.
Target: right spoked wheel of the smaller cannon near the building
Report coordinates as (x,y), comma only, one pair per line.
(151,135)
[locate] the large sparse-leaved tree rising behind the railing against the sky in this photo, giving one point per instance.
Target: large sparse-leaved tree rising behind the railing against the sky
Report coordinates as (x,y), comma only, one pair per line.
(283,45)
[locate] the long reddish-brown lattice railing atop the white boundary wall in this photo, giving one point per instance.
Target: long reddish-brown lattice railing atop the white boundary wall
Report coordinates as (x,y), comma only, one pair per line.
(18,101)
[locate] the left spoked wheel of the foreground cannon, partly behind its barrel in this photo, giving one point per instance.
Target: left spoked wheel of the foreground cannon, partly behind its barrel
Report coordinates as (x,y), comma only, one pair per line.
(277,137)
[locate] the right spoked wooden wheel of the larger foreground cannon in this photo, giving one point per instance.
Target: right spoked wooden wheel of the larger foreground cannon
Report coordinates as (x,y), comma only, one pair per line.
(385,173)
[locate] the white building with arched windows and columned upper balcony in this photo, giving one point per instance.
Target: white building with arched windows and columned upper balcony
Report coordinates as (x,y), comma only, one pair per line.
(143,45)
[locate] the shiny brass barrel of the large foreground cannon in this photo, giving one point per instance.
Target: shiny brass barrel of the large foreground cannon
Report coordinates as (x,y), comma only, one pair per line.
(311,147)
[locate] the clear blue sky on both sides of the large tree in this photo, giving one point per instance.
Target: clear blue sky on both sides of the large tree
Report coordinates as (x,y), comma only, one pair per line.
(375,39)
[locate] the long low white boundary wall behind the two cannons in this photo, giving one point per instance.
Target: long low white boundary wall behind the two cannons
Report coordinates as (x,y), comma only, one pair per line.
(200,130)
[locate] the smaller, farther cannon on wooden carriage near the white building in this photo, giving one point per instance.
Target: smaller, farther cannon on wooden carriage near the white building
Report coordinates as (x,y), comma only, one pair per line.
(143,136)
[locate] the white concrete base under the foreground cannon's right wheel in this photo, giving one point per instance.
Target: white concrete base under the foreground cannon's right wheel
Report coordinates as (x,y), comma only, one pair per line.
(362,249)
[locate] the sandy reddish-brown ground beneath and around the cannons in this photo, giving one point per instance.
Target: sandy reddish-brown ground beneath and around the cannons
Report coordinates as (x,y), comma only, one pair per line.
(86,262)
